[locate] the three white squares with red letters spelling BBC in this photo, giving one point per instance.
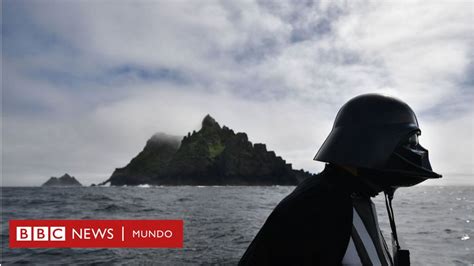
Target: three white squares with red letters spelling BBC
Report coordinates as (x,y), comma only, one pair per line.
(41,233)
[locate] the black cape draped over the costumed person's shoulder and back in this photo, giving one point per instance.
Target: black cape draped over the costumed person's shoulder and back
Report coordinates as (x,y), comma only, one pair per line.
(311,226)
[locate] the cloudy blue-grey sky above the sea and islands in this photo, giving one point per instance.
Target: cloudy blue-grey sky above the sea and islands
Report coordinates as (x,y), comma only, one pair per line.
(86,83)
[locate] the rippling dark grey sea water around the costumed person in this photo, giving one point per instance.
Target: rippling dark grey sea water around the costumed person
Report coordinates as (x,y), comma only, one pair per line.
(436,223)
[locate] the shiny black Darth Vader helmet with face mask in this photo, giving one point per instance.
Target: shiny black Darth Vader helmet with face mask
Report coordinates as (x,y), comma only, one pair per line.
(378,135)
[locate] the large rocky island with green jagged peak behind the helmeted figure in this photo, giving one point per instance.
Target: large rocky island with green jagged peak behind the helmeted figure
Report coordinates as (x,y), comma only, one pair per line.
(214,155)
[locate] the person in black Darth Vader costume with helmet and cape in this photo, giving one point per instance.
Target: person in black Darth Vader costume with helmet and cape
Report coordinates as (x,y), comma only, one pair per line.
(329,219)
